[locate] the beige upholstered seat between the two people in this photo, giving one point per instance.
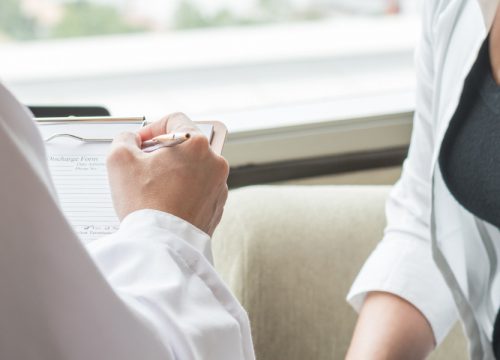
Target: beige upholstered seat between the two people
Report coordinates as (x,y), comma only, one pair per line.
(290,254)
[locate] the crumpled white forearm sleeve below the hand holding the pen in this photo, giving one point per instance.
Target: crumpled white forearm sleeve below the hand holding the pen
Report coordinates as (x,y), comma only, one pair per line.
(160,266)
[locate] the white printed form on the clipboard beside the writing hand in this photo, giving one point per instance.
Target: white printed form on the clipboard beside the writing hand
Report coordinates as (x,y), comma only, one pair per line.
(80,177)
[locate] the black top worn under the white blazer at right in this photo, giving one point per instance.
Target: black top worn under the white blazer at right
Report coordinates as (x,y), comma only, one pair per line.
(470,154)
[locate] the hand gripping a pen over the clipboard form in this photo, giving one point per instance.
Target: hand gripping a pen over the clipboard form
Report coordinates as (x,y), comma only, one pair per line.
(187,180)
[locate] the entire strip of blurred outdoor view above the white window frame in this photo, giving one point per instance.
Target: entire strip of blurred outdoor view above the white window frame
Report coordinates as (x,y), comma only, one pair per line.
(47,19)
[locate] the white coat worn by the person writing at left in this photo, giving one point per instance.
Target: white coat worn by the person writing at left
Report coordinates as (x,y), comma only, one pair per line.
(153,294)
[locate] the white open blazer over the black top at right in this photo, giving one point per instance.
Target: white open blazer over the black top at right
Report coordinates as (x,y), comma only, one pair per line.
(435,254)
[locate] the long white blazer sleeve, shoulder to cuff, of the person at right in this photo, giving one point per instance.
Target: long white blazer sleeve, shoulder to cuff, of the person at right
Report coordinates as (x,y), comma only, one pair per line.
(402,263)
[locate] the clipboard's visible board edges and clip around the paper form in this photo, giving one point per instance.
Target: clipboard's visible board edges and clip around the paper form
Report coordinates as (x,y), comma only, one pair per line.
(216,137)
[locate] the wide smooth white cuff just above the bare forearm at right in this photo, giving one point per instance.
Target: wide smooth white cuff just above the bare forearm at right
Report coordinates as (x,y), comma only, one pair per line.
(403,266)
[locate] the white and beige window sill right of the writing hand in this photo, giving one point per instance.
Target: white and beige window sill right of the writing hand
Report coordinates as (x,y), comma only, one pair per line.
(336,127)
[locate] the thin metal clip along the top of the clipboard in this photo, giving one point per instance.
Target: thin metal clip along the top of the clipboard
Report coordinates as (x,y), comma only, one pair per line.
(73,120)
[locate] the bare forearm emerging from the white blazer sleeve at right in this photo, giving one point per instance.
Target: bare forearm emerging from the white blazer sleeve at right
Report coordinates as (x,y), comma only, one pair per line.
(390,328)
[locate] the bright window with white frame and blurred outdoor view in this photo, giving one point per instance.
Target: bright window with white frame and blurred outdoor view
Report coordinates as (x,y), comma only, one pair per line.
(259,65)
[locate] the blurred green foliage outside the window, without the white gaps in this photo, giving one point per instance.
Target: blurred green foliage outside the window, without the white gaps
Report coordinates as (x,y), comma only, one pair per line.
(46,19)
